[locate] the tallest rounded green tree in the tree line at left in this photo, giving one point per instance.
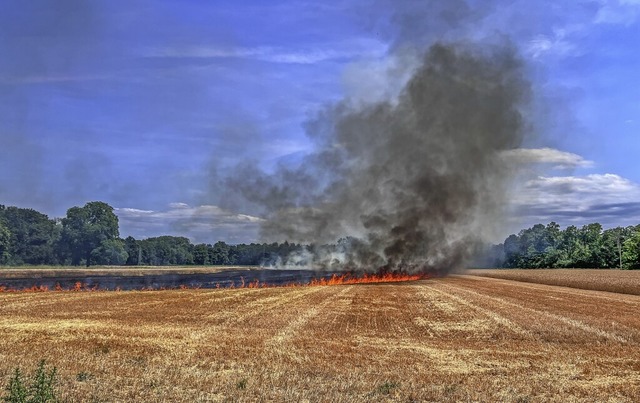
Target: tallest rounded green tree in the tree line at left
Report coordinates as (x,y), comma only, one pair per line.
(86,228)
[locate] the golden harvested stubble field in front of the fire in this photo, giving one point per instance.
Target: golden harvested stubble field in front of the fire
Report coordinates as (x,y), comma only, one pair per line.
(462,338)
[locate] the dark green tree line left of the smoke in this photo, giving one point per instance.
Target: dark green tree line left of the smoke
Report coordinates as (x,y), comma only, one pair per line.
(89,235)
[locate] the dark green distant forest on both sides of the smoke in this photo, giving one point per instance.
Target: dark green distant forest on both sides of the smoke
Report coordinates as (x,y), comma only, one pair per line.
(89,235)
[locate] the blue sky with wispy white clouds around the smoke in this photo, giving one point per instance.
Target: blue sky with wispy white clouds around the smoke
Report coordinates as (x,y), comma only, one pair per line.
(142,103)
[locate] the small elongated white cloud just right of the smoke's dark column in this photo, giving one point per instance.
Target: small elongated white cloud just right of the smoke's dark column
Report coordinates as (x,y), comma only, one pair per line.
(559,159)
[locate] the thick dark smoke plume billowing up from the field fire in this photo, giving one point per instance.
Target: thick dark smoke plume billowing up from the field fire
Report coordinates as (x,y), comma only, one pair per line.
(413,184)
